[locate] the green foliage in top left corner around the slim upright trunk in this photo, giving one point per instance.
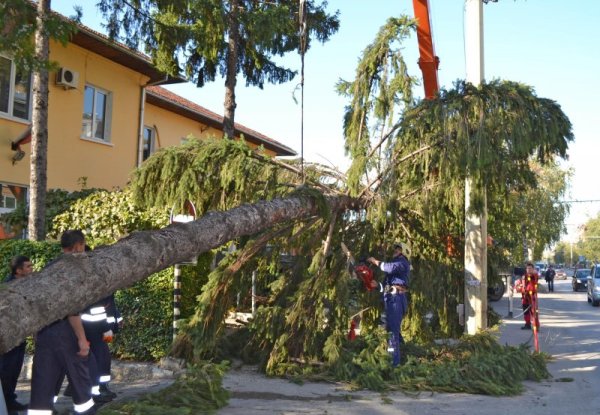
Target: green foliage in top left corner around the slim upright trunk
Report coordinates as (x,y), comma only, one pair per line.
(17,28)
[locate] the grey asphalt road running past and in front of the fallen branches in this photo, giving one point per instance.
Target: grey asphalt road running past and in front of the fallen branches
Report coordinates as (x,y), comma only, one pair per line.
(570,332)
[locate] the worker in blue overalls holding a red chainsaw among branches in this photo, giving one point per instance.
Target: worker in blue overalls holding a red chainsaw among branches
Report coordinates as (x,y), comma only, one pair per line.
(397,272)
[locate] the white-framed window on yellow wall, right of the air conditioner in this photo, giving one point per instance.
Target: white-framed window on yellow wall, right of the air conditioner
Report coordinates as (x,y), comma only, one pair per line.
(96,113)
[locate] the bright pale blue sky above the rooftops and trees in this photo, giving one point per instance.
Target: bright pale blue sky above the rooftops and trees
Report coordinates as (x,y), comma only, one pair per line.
(551,45)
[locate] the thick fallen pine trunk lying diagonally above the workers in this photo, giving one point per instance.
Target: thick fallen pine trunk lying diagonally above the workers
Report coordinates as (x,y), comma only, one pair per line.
(74,281)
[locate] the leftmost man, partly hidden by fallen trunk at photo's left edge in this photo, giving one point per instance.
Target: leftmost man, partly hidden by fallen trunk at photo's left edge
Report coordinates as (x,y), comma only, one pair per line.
(11,362)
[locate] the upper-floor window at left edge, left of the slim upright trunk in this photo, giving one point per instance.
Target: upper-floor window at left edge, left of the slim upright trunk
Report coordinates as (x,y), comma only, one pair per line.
(15,90)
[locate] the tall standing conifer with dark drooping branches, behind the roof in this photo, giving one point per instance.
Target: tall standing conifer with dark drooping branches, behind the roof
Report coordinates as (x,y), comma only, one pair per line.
(201,39)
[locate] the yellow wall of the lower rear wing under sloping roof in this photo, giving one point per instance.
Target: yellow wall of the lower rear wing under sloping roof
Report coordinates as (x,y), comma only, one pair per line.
(171,128)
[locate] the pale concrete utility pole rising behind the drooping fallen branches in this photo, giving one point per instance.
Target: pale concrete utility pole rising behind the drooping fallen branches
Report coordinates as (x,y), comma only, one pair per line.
(475,225)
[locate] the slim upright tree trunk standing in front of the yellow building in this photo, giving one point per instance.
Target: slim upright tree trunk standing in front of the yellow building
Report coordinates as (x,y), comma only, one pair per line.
(39,131)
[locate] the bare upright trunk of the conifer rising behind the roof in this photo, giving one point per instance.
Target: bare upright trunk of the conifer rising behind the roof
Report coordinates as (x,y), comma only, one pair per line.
(231,76)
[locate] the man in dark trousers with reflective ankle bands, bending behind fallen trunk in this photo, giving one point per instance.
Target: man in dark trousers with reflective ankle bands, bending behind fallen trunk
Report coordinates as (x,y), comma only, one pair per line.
(62,347)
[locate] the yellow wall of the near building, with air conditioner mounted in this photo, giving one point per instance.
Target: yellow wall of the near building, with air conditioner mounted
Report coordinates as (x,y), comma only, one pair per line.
(70,157)
